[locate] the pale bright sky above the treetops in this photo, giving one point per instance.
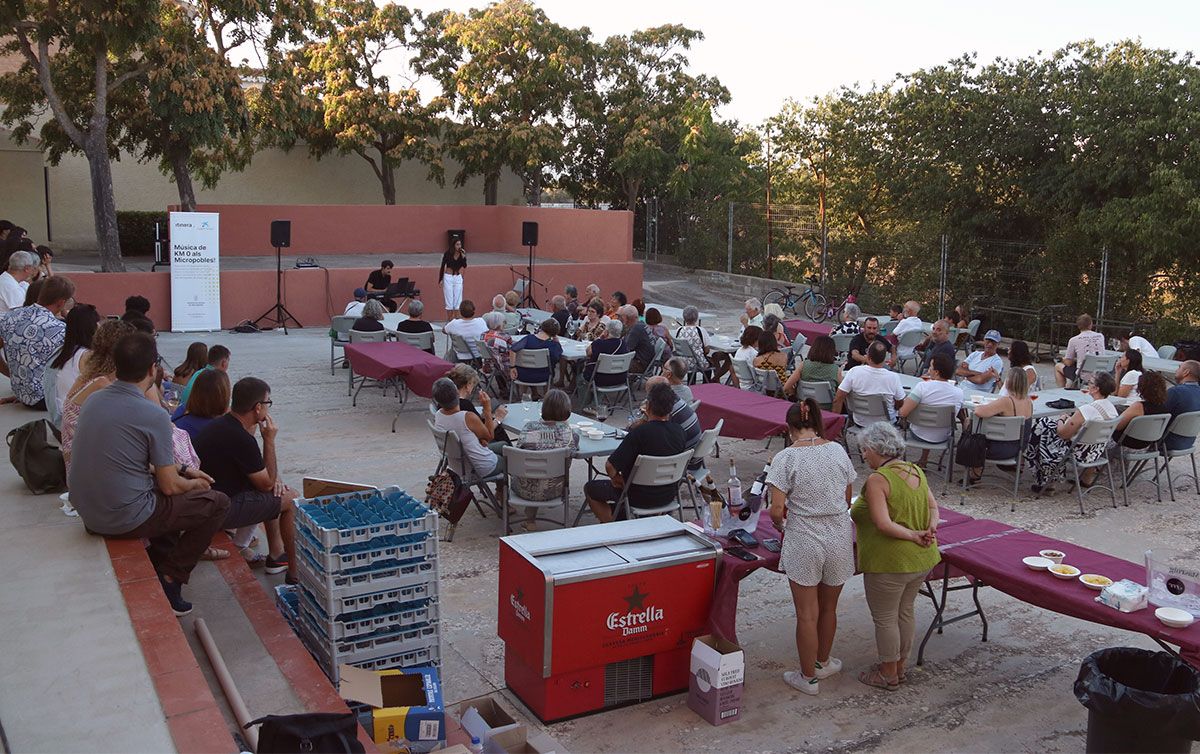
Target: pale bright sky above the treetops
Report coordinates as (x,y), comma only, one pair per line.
(769,52)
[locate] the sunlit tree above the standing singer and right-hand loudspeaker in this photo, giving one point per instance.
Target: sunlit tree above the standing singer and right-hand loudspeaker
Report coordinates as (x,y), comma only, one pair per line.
(512,74)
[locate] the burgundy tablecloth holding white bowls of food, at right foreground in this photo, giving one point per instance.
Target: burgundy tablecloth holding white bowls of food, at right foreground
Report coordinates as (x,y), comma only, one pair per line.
(993,552)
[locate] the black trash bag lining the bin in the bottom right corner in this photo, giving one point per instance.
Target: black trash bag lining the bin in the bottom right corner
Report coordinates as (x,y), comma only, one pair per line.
(1139,701)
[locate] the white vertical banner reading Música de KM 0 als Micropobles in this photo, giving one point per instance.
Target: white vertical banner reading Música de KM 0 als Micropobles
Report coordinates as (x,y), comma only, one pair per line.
(195,272)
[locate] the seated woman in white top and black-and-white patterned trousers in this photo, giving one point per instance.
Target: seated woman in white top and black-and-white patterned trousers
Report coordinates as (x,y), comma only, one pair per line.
(1051,436)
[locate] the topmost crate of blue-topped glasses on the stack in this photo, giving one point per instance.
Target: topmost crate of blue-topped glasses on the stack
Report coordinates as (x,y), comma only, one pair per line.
(352,518)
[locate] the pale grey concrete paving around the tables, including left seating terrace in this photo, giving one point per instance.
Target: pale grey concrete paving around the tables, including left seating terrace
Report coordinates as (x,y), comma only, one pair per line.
(1010,695)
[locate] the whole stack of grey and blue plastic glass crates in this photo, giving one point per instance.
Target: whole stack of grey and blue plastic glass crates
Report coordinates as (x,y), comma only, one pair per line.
(369,581)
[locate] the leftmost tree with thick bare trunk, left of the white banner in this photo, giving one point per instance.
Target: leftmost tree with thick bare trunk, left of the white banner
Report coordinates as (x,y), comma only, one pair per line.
(76,56)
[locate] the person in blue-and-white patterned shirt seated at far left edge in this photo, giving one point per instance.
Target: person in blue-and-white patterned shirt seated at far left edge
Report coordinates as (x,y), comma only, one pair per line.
(29,339)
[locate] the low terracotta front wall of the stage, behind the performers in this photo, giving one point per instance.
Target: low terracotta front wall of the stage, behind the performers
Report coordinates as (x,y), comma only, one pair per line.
(314,295)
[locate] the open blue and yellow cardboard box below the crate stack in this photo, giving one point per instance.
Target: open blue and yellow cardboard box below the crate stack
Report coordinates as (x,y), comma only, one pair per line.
(406,705)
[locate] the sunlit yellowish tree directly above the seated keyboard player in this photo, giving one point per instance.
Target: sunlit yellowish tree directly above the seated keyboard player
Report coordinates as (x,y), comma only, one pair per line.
(332,94)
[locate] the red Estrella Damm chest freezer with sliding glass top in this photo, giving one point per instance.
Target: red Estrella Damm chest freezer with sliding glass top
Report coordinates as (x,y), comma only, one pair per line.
(601,617)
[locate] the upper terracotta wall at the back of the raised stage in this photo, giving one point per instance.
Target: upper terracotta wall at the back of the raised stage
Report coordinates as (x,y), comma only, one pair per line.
(568,235)
